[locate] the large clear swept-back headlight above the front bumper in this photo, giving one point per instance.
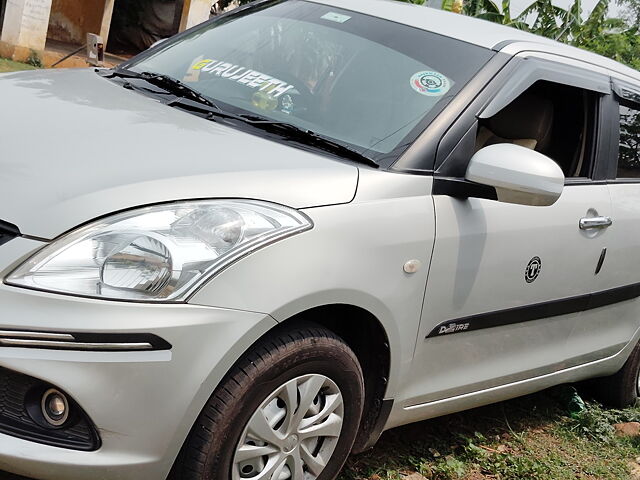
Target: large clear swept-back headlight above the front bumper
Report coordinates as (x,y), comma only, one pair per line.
(159,253)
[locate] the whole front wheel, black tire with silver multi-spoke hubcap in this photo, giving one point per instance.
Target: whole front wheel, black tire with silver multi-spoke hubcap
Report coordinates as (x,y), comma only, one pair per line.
(292,362)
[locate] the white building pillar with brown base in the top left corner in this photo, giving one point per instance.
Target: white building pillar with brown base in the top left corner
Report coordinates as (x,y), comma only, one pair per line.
(25,28)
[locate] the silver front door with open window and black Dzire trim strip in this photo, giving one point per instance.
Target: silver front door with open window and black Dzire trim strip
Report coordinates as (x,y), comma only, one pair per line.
(509,283)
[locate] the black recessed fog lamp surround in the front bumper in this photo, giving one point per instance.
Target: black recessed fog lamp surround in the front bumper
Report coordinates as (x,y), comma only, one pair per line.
(19,404)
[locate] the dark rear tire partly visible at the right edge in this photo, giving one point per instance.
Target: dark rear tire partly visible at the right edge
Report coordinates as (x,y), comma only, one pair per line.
(621,390)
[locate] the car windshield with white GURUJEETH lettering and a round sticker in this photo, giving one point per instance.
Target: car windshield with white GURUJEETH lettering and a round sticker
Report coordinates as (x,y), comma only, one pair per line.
(368,83)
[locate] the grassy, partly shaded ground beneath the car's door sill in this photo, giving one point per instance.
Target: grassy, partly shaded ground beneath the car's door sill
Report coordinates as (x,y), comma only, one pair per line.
(527,438)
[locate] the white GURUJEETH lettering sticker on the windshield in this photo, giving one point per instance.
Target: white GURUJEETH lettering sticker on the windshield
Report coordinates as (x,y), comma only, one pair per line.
(245,76)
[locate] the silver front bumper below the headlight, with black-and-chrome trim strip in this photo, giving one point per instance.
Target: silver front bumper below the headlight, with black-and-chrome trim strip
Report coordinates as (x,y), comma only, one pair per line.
(143,403)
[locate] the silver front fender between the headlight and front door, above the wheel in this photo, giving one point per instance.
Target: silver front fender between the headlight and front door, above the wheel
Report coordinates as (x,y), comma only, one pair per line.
(336,263)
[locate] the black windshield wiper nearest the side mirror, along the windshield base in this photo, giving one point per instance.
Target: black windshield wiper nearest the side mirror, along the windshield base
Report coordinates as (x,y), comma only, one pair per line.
(284,129)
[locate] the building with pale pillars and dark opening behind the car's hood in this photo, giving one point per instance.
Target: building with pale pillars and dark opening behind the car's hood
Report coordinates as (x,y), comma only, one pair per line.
(41,26)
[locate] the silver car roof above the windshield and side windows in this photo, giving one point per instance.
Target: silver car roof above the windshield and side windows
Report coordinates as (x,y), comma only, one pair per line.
(475,31)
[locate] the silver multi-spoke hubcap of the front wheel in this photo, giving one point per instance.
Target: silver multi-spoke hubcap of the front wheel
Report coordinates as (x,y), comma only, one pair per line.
(293,433)
